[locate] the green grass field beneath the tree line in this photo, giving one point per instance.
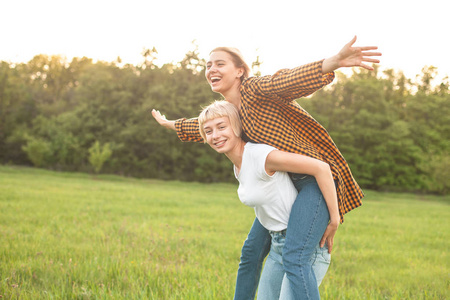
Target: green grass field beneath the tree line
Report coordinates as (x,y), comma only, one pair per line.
(75,236)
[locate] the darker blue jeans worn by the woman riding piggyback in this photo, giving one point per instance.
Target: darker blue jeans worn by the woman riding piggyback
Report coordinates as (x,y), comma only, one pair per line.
(307,223)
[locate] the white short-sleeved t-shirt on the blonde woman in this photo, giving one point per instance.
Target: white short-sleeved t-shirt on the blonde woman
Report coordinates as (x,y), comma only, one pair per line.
(271,196)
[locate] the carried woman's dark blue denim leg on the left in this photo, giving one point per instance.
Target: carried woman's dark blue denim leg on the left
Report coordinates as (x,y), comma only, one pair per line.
(255,249)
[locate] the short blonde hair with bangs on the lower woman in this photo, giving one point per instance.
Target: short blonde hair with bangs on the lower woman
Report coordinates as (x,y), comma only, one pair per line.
(219,109)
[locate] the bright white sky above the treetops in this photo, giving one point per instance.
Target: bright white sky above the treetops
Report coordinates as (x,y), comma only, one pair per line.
(285,33)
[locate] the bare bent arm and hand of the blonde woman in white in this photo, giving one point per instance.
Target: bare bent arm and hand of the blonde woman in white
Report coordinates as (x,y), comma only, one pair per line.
(296,163)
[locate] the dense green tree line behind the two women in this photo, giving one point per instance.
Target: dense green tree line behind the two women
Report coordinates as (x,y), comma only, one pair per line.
(88,116)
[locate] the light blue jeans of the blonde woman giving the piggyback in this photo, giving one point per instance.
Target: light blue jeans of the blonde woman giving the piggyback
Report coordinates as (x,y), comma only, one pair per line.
(273,274)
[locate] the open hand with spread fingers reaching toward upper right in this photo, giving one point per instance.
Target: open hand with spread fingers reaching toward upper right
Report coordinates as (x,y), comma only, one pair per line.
(350,56)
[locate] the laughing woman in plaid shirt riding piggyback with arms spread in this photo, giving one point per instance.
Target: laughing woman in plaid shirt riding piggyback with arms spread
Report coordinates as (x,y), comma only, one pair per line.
(270,116)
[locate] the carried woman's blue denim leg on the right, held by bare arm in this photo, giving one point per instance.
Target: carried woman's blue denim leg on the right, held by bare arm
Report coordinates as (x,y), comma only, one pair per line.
(307,223)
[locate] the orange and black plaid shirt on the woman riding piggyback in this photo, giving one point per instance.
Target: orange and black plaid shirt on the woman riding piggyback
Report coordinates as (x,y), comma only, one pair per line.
(270,116)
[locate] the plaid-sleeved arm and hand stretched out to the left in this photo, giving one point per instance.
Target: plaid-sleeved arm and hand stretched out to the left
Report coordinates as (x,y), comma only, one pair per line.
(186,129)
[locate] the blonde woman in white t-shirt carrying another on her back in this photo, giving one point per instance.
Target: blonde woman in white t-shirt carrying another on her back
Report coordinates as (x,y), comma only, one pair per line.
(265,184)
